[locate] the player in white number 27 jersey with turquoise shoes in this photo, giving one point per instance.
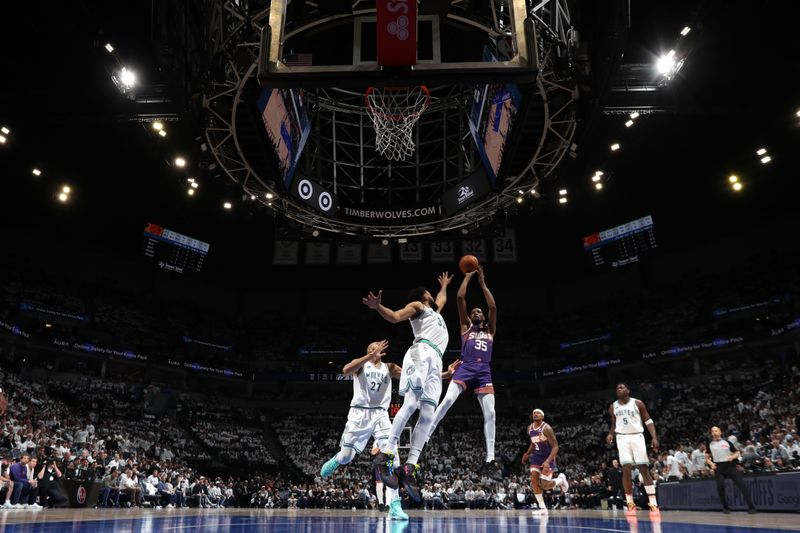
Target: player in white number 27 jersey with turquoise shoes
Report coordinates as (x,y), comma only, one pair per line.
(368,416)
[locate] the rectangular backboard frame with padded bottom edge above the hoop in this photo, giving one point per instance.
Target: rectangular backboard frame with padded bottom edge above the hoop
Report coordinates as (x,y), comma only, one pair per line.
(521,67)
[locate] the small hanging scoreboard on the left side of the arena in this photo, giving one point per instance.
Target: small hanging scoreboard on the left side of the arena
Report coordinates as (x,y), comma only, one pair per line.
(173,251)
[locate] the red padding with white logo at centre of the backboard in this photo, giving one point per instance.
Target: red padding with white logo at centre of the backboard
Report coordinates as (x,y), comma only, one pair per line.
(396,32)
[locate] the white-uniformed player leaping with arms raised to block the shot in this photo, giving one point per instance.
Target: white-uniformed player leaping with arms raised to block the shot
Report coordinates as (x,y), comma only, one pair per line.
(420,382)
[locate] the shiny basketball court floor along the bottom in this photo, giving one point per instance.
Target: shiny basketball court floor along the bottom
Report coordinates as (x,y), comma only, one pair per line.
(321,521)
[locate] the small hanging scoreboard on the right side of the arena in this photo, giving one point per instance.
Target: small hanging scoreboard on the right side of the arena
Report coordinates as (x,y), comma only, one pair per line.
(621,245)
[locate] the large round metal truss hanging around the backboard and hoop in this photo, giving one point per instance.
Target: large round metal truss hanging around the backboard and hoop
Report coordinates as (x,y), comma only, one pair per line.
(343,159)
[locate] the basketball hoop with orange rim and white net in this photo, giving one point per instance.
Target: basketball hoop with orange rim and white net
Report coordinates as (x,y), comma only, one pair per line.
(394,111)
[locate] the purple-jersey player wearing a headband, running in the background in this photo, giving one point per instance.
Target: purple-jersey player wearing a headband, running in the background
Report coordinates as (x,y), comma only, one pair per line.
(542,456)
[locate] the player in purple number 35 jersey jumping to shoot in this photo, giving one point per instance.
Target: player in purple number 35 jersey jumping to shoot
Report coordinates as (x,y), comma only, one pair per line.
(474,373)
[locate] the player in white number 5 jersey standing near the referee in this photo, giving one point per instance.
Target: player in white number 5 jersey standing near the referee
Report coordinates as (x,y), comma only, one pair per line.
(629,417)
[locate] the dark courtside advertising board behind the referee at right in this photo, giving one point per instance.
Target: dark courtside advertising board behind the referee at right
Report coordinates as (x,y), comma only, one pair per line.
(773,492)
